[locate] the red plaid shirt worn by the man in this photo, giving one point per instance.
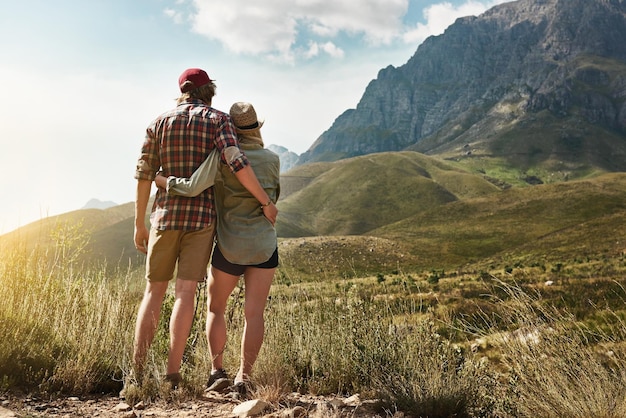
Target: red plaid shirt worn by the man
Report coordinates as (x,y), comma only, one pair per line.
(177,142)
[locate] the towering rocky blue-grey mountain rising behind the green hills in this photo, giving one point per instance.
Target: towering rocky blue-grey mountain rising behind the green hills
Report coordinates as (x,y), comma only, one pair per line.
(532,84)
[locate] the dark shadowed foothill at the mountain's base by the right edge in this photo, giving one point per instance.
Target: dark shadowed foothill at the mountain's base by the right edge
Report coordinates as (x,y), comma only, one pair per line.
(547,149)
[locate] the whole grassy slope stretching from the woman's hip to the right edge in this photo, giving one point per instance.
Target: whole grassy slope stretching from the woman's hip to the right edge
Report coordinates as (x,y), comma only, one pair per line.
(544,225)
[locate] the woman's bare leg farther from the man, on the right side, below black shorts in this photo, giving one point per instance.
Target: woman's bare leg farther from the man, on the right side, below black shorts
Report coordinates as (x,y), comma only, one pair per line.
(257,282)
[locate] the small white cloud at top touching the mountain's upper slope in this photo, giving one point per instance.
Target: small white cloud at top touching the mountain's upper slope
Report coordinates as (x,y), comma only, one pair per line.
(439,16)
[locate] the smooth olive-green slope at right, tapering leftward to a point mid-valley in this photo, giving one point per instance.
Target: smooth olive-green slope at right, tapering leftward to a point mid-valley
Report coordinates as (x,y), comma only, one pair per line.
(564,219)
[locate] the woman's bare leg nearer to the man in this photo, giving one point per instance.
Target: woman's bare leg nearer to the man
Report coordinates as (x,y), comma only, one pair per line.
(219,288)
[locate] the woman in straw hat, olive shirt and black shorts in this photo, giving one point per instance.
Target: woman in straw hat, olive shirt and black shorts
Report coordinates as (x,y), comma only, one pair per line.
(246,244)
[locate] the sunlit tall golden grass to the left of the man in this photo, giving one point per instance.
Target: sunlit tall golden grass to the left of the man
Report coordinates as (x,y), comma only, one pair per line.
(65,327)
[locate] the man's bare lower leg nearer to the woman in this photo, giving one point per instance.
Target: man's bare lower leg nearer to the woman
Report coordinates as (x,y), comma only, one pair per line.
(181,322)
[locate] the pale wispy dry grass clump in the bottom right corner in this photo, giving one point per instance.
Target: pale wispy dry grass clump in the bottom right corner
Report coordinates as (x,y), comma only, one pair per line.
(558,366)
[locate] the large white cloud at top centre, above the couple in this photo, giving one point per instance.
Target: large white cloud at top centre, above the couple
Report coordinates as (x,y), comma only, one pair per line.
(280,28)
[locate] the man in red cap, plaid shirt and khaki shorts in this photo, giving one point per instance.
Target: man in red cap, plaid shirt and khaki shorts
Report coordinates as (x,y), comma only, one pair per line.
(182,228)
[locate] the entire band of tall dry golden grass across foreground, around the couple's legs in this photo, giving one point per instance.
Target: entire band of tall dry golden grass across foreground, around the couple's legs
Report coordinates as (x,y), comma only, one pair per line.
(68,328)
